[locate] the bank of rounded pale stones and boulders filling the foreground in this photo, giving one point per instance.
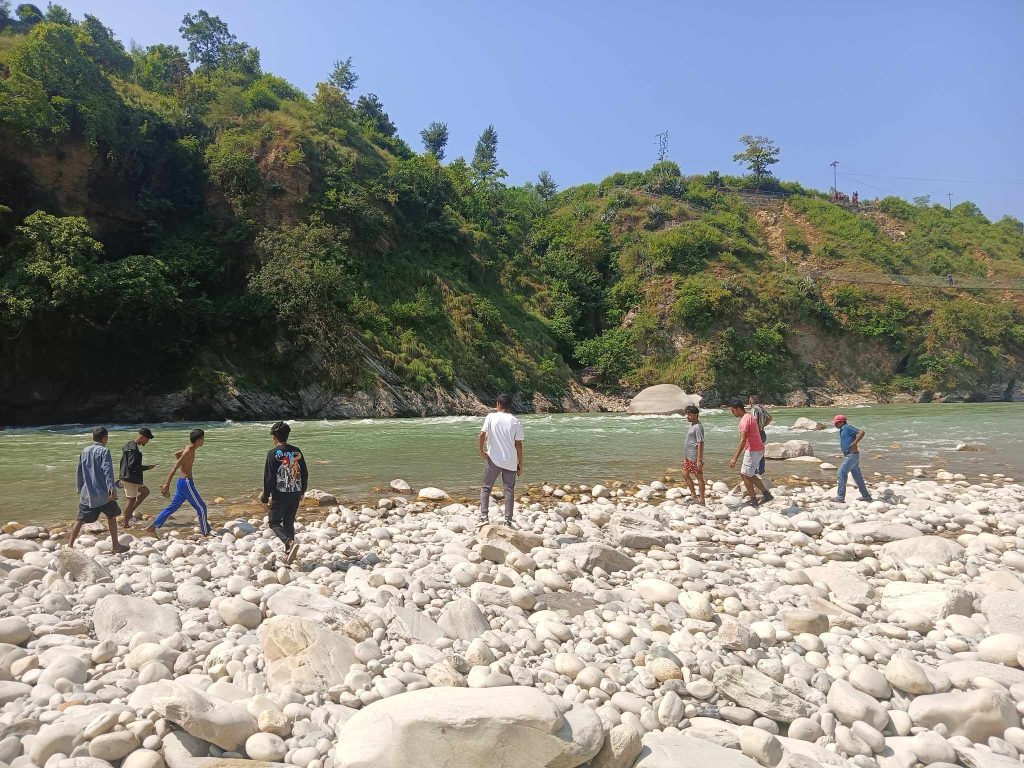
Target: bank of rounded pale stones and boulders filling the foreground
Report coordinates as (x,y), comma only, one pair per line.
(624,628)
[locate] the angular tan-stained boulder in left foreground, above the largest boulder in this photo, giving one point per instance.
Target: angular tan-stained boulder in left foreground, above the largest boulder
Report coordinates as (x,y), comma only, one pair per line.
(305,655)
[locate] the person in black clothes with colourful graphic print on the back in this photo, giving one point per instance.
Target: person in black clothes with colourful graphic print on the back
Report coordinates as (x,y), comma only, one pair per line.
(285,481)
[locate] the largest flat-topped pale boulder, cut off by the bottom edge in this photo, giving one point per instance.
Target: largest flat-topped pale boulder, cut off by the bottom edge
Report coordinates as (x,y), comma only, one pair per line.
(509,728)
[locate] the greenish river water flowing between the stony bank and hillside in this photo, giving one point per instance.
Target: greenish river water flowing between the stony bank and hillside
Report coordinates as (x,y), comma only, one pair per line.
(353,458)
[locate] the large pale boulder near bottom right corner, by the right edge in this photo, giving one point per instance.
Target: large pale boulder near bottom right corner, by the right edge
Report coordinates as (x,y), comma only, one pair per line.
(975,715)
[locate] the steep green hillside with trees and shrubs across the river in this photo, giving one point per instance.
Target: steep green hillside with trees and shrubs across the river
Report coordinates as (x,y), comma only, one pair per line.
(186,236)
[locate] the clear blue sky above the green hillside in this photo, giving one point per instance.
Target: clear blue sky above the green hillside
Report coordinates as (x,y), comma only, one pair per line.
(909,89)
